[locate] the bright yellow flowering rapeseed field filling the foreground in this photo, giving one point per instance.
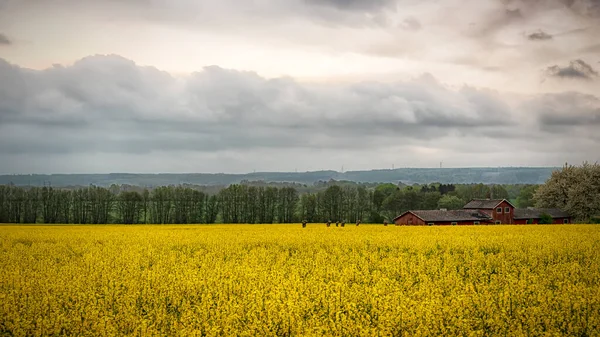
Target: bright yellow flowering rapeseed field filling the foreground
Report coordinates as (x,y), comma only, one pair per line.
(283,280)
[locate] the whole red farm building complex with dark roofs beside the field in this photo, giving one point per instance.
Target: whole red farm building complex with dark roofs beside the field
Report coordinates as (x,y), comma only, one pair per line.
(479,212)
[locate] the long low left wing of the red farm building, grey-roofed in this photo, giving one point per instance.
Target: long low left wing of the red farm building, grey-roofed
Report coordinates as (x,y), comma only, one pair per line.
(441,217)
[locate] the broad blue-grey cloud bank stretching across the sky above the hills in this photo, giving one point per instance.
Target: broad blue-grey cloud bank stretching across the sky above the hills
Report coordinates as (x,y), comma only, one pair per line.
(105,113)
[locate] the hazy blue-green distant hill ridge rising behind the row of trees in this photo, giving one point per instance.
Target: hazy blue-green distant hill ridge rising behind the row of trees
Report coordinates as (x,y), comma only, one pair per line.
(485,175)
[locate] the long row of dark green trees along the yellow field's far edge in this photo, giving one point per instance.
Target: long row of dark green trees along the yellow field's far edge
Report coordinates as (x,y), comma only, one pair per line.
(237,203)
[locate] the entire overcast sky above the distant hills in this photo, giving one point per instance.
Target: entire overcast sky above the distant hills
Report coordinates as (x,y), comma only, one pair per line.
(90,86)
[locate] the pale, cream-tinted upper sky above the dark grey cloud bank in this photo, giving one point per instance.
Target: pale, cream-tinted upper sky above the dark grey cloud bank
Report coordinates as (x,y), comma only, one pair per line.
(460,41)
